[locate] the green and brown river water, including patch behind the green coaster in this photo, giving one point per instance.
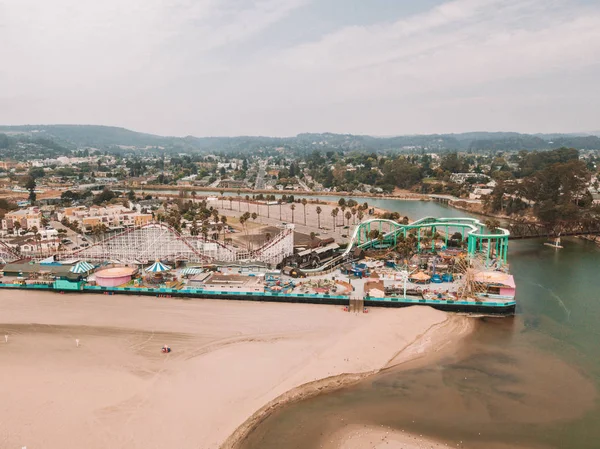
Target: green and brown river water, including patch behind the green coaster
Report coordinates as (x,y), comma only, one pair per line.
(530,380)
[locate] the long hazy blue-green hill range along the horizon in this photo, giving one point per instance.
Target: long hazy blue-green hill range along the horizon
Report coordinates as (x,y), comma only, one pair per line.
(108,136)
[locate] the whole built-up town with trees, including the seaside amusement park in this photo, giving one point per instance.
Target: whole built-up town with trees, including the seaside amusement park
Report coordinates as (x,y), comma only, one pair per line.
(144,220)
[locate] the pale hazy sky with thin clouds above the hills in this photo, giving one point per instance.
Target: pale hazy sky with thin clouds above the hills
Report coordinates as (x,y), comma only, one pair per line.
(281,67)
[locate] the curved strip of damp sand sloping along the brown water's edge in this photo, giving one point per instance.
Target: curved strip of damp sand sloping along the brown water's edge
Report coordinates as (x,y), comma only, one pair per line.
(433,343)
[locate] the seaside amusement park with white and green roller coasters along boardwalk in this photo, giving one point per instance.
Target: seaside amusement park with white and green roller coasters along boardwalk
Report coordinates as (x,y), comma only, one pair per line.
(451,264)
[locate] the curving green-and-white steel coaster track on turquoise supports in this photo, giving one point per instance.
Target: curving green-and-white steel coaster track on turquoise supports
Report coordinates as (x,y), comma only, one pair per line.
(472,226)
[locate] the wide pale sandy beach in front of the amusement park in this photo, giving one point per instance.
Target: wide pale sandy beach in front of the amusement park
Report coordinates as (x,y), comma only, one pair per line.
(229,359)
